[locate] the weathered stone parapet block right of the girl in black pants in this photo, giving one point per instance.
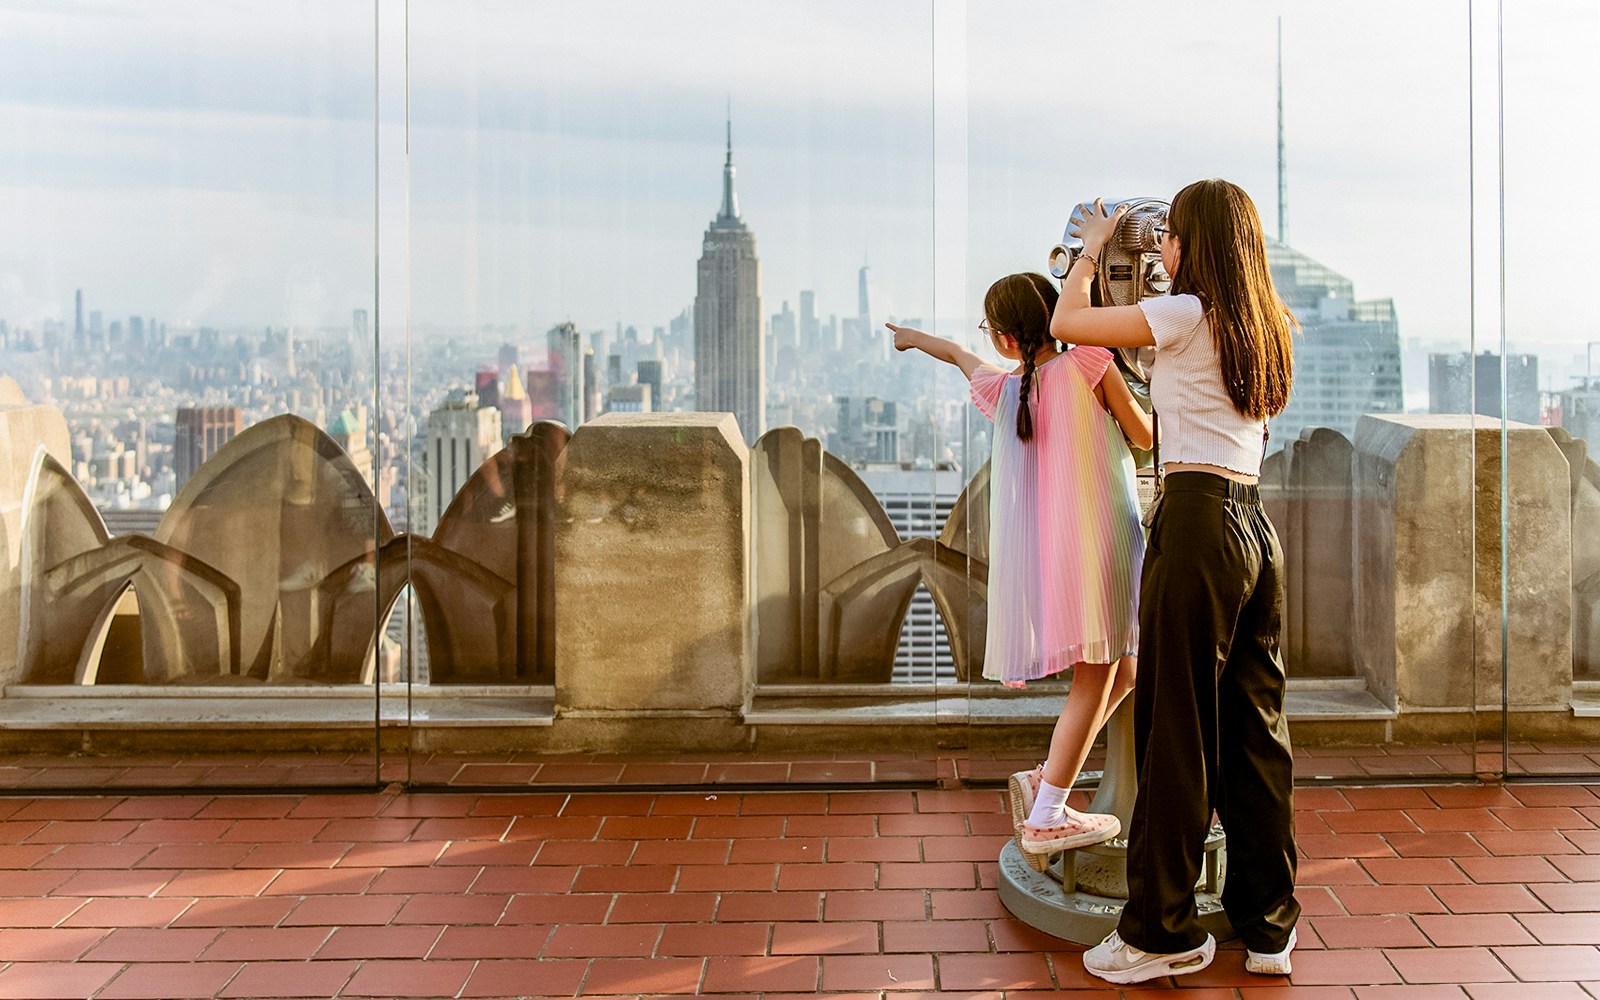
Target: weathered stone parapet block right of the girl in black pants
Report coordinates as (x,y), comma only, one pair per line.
(1428,543)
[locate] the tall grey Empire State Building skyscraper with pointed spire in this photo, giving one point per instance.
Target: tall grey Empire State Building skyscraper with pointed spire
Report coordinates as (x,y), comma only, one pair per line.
(730,353)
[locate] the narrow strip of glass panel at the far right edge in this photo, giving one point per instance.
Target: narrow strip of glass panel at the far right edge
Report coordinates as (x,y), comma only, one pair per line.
(1538,377)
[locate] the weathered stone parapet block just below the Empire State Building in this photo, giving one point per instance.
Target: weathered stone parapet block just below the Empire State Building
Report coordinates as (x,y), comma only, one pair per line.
(654,567)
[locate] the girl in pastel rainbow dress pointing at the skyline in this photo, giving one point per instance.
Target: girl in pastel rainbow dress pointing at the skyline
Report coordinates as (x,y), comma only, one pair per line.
(1065,538)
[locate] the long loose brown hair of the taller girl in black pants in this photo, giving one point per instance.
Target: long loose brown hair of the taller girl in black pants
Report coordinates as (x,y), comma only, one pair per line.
(1225,263)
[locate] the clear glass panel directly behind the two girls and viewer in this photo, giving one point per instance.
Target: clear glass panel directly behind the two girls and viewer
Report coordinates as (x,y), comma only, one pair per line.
(1369,492)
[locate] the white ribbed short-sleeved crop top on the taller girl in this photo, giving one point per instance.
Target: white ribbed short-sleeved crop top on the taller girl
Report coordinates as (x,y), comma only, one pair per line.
(1196,417)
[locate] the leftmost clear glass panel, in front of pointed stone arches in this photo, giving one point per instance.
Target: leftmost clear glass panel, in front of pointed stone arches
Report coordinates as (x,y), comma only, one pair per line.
(188,401)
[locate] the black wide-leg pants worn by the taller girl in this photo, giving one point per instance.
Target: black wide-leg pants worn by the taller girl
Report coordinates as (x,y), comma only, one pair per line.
(1209,721)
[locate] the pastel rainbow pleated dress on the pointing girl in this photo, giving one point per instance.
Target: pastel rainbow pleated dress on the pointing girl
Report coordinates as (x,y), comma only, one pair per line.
(1065,538)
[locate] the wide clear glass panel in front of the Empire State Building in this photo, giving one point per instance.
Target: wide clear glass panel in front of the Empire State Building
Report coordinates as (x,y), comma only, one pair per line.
(625,222)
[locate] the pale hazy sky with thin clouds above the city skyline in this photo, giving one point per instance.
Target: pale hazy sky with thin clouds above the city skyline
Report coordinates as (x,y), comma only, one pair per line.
(214,162)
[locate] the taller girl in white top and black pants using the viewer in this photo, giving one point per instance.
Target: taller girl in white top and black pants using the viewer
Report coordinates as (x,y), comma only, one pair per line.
(1209,705)
